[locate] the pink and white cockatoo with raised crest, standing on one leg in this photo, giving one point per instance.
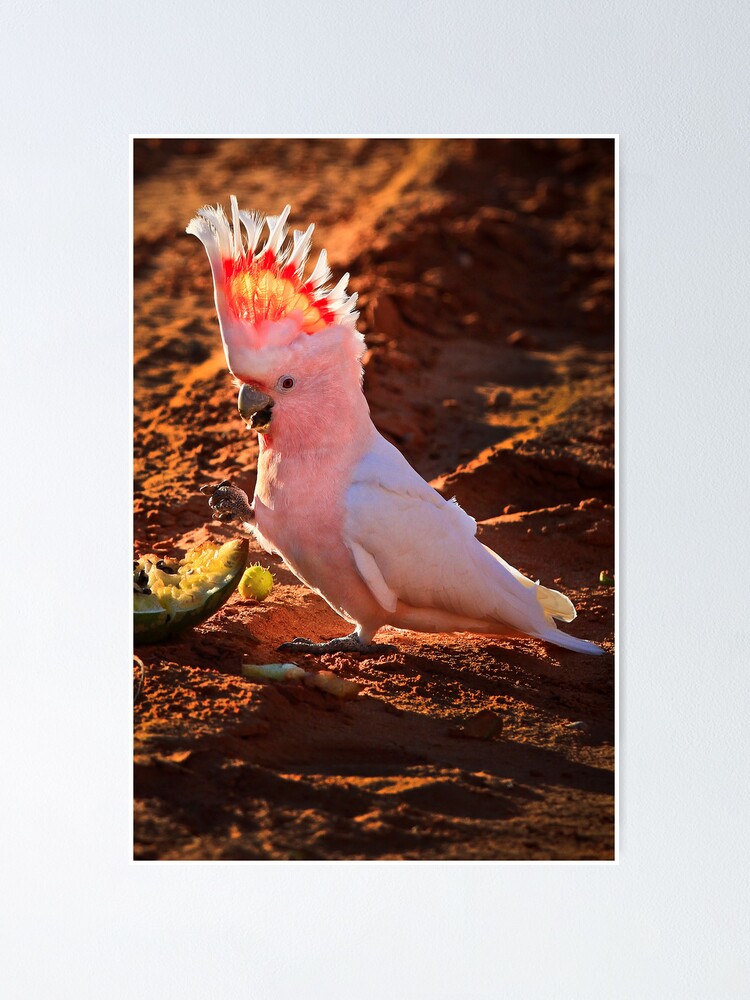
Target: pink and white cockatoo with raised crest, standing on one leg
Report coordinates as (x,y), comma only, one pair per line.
(340,504)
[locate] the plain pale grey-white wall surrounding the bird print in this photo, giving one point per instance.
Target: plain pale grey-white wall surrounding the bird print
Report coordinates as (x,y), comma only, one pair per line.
(671,919)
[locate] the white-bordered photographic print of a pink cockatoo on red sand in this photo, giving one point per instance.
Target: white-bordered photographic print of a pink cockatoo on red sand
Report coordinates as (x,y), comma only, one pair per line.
(374,499)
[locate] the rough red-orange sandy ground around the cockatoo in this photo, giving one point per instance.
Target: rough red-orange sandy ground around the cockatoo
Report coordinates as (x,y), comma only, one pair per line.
(485,270)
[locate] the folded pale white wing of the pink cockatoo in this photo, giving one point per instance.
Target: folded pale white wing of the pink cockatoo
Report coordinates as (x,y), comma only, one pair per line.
(410,544)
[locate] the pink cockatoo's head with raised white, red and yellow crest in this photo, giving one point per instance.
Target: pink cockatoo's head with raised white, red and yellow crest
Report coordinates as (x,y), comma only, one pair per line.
(290,341)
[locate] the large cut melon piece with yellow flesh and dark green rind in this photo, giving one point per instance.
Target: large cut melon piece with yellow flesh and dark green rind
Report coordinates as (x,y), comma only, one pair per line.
(204,581)
